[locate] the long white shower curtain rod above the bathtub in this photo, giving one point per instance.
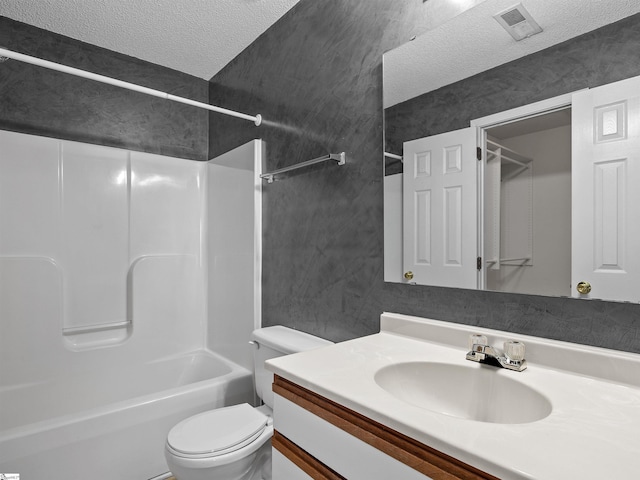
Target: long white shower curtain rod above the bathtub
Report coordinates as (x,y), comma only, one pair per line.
(119,83)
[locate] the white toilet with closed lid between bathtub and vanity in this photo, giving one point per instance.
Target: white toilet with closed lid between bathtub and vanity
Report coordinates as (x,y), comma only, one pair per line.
(233,443)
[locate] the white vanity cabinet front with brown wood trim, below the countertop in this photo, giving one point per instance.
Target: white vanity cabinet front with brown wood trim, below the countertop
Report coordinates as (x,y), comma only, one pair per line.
(357,446)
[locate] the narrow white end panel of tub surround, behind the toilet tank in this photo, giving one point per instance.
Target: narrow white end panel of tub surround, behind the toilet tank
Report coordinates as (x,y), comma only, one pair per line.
(234,245)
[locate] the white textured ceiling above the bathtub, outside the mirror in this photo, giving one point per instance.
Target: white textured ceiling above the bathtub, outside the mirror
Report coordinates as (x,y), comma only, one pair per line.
(198,37)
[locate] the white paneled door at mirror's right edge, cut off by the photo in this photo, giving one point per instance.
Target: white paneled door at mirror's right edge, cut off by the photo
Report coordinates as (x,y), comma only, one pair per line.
(606,190)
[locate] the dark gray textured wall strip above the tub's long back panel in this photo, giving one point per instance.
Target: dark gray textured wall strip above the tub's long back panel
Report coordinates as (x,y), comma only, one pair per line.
(44,102)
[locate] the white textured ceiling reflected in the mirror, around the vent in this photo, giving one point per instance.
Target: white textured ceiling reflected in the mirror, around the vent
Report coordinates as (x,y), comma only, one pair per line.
(473,42)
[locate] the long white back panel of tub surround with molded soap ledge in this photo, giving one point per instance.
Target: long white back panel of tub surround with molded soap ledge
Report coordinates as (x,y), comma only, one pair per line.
(100,257)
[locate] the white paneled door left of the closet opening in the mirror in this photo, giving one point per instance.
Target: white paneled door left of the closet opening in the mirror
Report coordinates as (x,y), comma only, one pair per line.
(439,209)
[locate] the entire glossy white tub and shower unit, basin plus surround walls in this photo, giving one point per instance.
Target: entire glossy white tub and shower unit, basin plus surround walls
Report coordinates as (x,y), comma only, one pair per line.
(105,329)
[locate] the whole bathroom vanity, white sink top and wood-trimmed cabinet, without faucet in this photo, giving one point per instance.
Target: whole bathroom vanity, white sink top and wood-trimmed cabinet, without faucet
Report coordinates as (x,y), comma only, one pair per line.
(406,403)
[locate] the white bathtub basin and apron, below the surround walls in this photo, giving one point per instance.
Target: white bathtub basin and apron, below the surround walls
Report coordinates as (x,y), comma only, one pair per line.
(111,424)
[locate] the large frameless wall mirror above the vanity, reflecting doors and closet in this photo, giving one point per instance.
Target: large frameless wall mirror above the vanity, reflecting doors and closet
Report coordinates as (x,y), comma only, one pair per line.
(513,165)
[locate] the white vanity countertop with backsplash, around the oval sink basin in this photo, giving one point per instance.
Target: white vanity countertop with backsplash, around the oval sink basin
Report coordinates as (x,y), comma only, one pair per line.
(593,431)
